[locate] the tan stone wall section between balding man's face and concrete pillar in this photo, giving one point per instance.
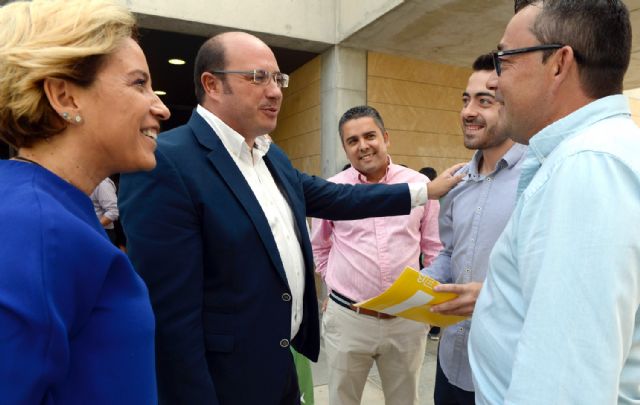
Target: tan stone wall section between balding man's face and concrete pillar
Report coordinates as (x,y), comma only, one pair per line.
(298,131)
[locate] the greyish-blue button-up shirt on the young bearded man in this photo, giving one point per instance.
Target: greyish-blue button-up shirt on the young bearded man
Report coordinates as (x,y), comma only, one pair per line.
(472,216)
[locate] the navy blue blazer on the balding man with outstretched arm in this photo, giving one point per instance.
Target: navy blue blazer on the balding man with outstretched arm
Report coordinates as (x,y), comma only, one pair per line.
(199,239)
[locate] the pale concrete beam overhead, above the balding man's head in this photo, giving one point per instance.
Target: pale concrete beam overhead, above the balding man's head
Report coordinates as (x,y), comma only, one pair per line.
(298,24)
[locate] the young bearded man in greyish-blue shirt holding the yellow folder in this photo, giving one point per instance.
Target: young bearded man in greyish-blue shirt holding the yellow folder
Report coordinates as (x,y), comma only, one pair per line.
(472,216)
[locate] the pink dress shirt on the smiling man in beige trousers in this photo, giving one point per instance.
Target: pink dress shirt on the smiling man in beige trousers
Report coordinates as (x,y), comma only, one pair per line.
(360,259)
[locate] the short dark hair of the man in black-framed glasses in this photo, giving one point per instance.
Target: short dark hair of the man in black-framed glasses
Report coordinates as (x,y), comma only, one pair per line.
(599,31)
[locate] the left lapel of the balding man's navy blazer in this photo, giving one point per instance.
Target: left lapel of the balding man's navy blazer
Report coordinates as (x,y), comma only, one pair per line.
(228,170)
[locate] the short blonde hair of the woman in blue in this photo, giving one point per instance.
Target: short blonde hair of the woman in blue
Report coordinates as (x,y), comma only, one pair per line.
(66,39)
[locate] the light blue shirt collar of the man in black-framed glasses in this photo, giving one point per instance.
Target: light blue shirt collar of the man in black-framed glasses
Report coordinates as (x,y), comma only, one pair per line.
(545,141)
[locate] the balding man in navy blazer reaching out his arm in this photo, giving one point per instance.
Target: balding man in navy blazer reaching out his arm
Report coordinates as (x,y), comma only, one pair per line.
(218,233)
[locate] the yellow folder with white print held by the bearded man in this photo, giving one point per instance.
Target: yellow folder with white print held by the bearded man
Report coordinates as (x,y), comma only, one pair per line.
(411,296)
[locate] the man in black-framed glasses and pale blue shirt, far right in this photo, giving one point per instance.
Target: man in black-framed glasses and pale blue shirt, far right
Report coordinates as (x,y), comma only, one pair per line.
(557,320)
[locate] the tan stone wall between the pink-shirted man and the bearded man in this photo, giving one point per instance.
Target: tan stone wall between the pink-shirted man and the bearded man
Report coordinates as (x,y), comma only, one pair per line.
(420,103)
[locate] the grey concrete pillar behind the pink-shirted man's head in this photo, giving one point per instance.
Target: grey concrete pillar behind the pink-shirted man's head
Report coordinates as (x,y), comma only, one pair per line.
(343,84)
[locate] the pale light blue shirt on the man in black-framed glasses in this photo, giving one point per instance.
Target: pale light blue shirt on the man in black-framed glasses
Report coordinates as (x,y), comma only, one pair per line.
(558,320)
